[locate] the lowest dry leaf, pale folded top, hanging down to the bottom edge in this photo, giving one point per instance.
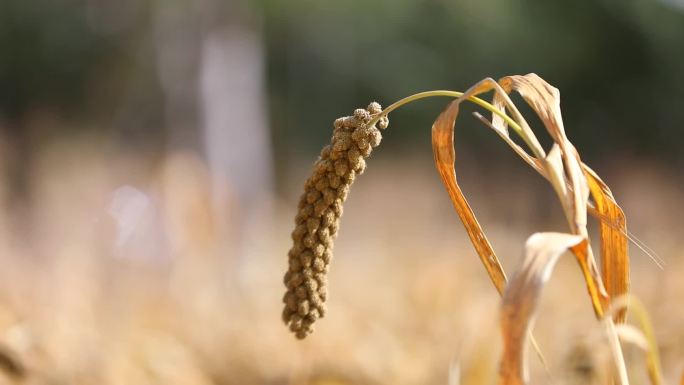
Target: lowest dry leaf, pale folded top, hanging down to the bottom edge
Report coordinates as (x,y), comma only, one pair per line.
(520,300)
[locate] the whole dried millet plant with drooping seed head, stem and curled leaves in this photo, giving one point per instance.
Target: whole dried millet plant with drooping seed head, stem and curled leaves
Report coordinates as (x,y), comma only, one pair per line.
(580,190)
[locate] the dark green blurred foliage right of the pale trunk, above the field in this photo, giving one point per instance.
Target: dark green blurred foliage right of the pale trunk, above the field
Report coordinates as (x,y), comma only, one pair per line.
(616,63)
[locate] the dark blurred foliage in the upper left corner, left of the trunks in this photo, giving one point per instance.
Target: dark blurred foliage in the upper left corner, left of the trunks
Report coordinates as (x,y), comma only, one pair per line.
(68,66)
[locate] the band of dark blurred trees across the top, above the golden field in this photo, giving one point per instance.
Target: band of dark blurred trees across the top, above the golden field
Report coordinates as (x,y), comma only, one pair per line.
(130,68)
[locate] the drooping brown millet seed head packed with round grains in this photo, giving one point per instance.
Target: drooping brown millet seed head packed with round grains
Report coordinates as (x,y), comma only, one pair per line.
(320,209)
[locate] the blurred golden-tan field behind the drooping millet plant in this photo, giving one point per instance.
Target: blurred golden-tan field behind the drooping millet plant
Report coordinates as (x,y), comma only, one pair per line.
(138,270)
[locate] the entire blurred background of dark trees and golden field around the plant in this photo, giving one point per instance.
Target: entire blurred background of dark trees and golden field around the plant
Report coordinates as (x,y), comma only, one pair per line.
(152,154)
